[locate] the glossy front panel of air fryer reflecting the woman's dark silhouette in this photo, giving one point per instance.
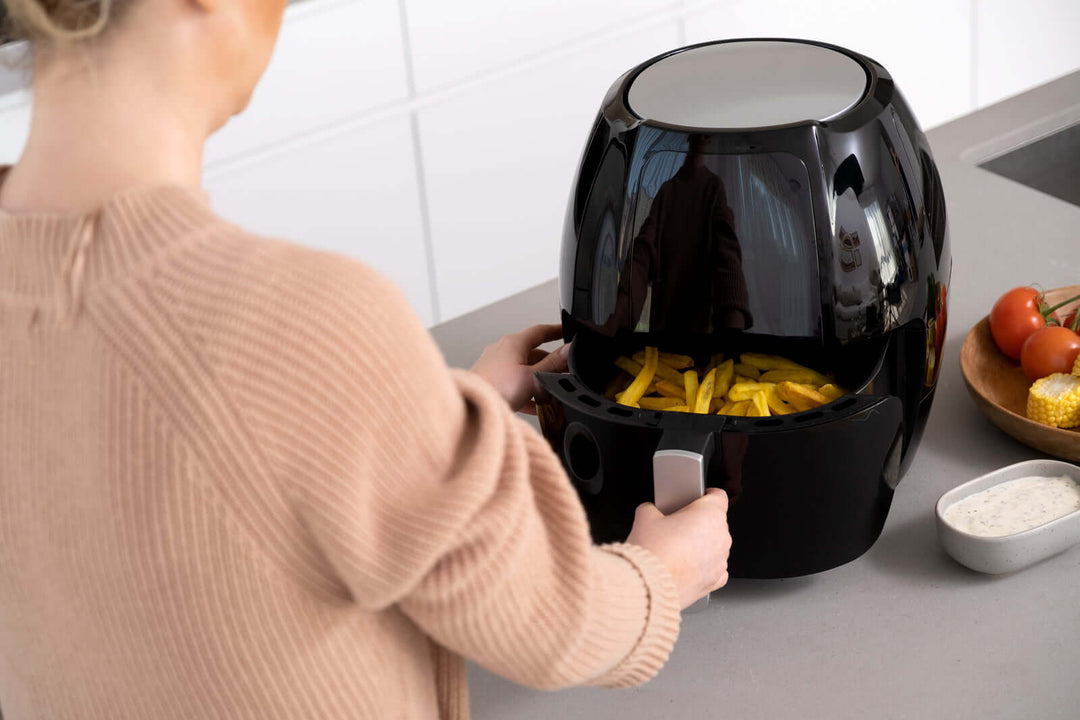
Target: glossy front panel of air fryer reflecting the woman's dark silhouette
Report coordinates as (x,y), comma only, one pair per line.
(721,242)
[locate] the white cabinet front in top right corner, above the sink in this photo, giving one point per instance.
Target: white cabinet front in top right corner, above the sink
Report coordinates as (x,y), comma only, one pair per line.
(1023,45)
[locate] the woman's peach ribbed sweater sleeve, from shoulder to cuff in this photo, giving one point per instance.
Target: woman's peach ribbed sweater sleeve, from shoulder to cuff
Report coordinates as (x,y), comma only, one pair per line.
(418,485)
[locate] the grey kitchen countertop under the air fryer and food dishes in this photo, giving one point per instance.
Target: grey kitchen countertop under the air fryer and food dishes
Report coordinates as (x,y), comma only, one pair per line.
(903,632)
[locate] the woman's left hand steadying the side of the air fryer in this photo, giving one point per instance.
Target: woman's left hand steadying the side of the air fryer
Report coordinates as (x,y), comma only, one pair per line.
(511,364)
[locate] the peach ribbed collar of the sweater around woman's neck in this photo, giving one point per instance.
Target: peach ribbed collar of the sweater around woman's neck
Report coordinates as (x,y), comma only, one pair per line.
(60,254)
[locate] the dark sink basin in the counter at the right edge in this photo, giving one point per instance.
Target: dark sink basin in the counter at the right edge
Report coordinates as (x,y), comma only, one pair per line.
(1050,165)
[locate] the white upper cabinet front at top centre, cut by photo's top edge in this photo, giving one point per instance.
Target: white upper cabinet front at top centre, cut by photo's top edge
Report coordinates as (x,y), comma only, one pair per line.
(453,42)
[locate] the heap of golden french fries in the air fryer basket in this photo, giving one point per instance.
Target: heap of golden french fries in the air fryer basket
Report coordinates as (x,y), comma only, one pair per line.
(752,385)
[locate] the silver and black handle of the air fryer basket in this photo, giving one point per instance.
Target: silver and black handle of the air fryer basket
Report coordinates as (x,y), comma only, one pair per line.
(680,467)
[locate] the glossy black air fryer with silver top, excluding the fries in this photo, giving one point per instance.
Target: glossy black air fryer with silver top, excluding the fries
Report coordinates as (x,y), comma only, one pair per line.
(754,196)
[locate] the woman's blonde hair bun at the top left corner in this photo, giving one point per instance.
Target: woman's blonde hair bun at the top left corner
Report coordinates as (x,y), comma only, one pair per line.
(61,21)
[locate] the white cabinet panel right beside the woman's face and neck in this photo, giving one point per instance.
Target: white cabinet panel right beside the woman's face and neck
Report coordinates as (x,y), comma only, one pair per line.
(334,60)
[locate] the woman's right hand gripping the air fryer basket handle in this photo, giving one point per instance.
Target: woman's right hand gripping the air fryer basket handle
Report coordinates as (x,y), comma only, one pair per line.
(694,544)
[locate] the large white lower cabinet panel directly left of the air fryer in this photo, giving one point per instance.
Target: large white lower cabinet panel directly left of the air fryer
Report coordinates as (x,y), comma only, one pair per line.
(499,161)
